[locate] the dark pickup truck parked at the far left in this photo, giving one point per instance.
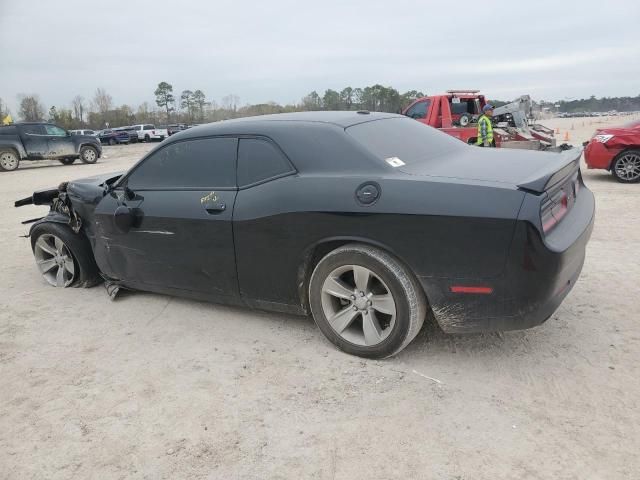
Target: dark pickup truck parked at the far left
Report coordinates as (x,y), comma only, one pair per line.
(44,141)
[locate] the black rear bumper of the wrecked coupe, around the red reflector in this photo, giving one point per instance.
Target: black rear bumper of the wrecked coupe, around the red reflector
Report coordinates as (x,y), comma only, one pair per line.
(539,274)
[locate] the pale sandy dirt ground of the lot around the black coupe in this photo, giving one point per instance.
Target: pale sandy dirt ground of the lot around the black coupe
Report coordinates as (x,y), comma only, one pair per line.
(153,387)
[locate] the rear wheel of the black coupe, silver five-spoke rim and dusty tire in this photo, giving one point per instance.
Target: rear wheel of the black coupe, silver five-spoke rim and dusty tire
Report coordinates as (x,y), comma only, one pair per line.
(366,302)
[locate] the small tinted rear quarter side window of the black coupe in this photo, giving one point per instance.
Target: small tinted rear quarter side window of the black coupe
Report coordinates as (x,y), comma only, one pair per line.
(259,160)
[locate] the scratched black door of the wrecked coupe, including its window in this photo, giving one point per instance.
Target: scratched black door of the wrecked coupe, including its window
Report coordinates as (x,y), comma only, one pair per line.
(182,197)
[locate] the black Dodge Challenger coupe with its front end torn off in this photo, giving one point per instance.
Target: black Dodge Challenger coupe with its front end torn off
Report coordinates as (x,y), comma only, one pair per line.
(365,220)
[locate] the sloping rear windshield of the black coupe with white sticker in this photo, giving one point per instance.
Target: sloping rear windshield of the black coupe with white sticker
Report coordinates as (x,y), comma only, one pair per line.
(403,141)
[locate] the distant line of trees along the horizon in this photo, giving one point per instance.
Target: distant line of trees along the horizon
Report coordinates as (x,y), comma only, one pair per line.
(193,106)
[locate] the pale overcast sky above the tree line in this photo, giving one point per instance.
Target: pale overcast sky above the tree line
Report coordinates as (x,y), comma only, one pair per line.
(280,50)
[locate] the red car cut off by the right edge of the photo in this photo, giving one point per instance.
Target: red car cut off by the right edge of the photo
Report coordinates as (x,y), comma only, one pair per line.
(616,149)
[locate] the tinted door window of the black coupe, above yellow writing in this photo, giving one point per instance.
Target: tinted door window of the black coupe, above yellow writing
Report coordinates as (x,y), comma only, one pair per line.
(199,163)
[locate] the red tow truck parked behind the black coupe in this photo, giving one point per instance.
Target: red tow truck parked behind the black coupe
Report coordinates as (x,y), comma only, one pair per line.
(457,113)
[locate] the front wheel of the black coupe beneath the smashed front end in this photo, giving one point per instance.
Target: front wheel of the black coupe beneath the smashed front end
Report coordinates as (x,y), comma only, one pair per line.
(63,257)
